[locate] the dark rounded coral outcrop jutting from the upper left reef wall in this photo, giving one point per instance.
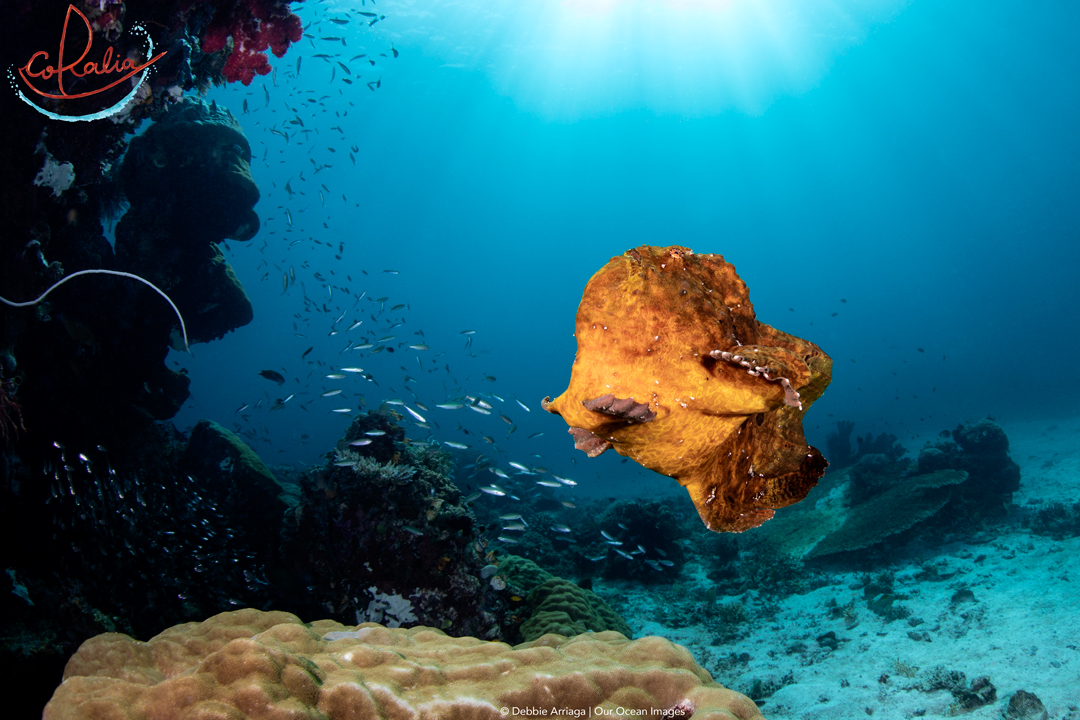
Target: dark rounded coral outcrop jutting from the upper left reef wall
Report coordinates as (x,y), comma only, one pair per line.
(190,184)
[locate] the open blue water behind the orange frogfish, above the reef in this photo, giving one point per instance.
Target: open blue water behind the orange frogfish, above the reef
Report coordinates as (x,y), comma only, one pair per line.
(896,182)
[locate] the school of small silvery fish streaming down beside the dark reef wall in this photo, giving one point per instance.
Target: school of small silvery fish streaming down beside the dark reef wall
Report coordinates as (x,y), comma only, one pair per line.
(356,351)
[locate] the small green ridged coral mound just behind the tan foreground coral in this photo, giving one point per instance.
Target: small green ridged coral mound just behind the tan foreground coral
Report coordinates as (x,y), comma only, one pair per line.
(562,608)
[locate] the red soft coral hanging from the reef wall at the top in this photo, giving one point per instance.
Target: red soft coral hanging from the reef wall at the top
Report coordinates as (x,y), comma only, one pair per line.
(254,26)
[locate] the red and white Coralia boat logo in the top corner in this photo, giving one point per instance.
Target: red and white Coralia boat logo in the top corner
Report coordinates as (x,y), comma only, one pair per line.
(39,74)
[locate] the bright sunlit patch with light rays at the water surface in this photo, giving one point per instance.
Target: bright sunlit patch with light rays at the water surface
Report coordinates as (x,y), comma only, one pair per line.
(568,60)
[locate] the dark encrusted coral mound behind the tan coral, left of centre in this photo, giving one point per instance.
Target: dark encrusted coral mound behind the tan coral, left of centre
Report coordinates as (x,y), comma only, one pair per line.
(360,515)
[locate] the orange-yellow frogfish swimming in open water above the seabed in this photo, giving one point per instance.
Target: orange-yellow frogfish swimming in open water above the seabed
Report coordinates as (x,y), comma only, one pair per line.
(674,372)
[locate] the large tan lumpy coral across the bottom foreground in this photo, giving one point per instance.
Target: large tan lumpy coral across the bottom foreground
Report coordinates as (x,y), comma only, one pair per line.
(254,664)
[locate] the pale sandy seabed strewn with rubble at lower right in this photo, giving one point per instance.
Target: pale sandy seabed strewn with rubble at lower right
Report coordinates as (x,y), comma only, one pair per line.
(1020,626)
